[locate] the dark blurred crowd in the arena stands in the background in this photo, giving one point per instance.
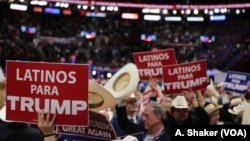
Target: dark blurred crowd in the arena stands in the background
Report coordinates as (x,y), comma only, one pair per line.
(57,39)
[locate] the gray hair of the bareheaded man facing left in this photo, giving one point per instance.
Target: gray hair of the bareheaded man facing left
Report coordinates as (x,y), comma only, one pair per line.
(158,109)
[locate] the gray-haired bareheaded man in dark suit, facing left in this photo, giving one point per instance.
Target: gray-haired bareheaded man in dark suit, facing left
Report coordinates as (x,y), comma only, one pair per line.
(154,117)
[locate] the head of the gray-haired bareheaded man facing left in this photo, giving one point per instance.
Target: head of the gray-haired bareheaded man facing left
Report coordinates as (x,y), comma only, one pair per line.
(153,115)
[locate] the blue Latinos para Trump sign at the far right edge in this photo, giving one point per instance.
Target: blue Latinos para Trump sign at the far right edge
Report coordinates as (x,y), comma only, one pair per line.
(236,82)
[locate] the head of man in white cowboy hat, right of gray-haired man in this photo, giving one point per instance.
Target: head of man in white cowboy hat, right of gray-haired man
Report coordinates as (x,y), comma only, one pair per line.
(179,109)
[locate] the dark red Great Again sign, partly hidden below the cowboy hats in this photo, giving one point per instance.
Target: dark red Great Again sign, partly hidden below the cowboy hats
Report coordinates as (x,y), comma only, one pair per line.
(99,127)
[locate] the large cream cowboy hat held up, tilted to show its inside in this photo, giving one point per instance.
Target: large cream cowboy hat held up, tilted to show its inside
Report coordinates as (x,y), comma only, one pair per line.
(124,82)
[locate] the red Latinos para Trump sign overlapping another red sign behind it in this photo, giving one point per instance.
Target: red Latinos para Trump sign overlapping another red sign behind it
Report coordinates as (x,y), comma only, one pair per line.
(180,77)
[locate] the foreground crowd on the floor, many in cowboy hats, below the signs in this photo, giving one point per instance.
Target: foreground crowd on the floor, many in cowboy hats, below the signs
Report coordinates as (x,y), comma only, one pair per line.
(157,120)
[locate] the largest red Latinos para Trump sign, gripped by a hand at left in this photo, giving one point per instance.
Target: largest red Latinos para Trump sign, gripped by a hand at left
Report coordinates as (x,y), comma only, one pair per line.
(61,89)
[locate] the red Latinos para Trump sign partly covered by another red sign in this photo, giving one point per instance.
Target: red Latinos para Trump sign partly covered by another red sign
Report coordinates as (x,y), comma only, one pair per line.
(150,63)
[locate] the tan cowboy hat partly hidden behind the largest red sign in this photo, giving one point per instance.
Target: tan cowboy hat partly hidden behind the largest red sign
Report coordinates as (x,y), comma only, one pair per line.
(99,97)
